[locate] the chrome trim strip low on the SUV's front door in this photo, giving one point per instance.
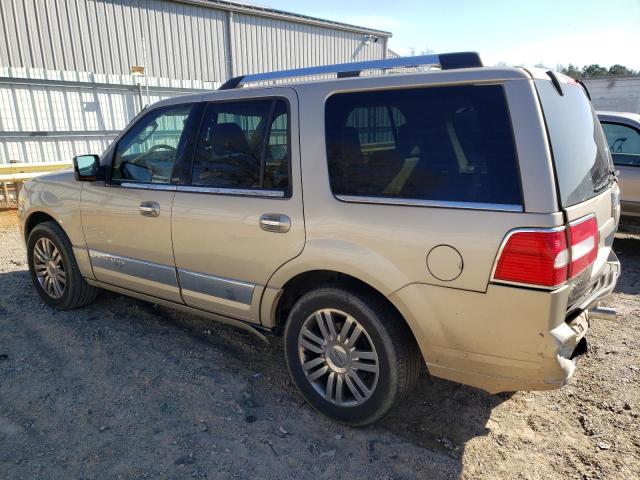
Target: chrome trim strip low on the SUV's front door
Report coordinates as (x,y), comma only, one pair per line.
(136,268)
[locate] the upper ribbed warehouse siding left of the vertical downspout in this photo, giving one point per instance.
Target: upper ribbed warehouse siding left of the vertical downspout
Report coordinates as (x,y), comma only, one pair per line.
(105,36)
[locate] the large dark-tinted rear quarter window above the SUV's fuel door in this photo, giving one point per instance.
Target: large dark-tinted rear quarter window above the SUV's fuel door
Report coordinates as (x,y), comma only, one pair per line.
(439,143)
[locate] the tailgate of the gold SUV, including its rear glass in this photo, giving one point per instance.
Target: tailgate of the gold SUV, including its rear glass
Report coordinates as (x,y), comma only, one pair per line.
(583,166)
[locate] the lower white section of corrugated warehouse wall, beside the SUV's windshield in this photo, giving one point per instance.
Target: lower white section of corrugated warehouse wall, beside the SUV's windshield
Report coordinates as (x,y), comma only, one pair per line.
(53,119)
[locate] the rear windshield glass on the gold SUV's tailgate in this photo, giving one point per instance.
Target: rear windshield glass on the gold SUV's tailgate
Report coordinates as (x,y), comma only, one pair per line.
(579,149)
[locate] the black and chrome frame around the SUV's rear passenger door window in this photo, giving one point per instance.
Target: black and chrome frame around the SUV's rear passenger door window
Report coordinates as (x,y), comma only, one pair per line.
(249,192)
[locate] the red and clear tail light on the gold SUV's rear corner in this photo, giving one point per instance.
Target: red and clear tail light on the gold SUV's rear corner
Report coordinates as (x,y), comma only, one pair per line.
(547,257)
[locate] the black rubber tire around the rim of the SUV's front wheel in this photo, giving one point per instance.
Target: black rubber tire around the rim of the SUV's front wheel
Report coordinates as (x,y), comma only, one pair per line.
(77,292)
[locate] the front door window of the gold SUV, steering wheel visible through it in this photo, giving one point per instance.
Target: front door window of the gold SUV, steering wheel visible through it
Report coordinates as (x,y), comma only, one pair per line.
(148,152)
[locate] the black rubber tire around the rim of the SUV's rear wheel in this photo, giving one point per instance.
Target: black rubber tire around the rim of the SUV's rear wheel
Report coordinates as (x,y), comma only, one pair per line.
(398,356)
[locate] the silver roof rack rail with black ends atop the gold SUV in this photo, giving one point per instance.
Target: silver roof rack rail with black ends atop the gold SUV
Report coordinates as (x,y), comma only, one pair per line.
(446,61)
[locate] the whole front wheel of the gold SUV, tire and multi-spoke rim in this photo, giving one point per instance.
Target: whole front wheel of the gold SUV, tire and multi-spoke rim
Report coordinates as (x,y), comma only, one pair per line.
(54,270)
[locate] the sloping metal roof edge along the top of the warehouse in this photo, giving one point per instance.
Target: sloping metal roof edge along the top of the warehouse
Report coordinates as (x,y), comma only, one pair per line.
(259,10)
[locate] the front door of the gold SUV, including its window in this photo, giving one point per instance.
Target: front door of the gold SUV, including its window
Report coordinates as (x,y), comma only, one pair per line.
(127,219)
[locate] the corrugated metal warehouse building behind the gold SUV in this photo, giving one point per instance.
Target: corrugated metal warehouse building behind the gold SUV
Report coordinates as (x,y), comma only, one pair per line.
(65,65)
